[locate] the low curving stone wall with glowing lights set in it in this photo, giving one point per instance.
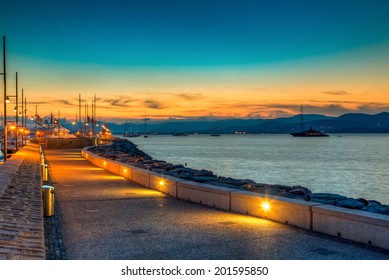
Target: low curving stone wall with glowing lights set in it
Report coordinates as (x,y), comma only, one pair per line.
(356,225)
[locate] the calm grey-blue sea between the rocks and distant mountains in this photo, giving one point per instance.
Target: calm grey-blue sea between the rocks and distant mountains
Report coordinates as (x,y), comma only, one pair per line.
(351,165)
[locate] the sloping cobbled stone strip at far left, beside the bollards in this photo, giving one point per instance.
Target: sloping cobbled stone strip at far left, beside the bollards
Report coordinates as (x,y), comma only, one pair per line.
(21,219)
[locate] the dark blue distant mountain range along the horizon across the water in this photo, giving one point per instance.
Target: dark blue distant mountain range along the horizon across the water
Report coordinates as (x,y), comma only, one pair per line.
(348,123)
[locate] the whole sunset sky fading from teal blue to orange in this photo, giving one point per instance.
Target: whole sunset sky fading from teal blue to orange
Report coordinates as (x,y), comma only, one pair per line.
(202,58)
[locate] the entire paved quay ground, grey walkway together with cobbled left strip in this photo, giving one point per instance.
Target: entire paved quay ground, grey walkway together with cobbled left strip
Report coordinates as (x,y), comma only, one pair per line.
(103,216)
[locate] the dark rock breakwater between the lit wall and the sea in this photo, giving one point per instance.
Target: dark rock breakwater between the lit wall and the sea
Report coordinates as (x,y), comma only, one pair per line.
(127,152)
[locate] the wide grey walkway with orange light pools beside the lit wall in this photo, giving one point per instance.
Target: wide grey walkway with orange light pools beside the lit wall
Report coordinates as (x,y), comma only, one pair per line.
(104,216)
